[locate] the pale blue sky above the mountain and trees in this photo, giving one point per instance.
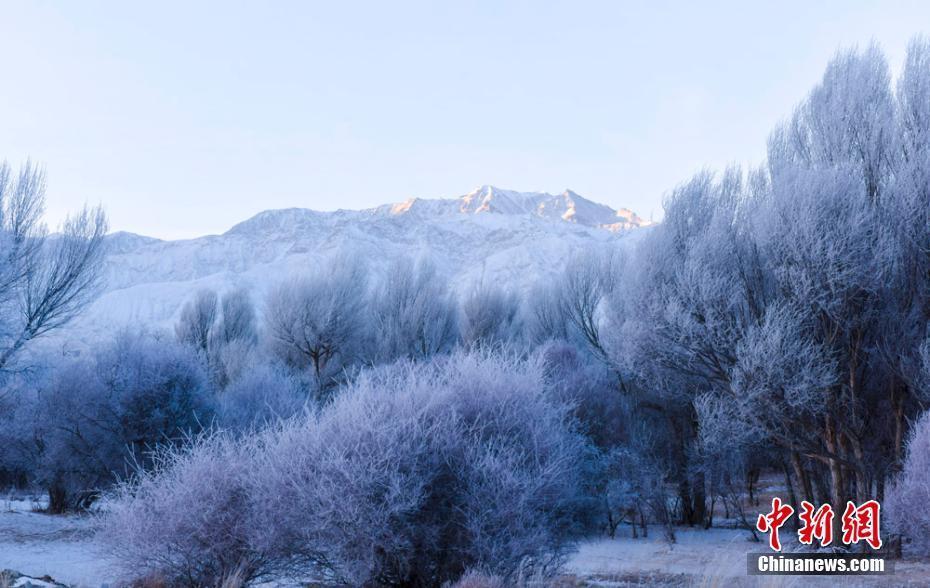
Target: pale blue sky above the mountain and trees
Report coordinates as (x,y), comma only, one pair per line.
(184,118)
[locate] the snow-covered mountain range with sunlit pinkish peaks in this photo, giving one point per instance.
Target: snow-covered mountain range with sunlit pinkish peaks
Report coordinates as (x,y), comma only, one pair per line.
(511,238)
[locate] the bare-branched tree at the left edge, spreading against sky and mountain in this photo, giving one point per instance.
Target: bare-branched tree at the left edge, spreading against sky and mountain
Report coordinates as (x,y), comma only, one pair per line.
(45,280)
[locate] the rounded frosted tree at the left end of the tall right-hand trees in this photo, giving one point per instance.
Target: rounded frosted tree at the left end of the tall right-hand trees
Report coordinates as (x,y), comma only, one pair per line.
(695,288)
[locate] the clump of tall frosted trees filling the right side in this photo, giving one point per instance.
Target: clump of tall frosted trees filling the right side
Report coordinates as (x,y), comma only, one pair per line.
(792,300)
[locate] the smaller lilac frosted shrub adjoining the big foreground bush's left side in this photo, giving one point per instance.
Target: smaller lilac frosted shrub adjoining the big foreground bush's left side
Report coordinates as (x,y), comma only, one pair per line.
(185,521)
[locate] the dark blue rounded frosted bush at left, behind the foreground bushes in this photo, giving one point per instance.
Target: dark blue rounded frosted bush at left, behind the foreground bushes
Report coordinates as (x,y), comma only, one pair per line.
(98,418)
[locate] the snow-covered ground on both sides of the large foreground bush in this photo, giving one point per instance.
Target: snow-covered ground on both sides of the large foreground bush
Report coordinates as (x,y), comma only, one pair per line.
(62,547)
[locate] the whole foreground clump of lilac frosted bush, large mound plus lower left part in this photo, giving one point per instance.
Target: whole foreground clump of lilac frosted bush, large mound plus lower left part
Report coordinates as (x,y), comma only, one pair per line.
(412,475)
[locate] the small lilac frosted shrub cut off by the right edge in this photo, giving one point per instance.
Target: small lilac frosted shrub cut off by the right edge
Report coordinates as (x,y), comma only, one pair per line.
(907,498)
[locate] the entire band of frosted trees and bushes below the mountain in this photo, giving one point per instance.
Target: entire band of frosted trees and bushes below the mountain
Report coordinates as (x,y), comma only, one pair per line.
(392,431)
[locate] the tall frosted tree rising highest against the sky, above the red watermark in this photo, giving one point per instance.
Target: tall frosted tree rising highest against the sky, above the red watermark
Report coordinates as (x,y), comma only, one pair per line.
(836,171)
